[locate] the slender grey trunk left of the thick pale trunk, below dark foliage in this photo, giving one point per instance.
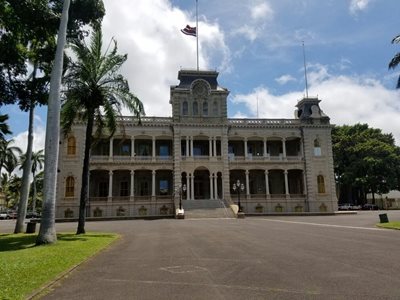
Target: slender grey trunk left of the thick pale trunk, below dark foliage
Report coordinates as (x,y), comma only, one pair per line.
(23,201)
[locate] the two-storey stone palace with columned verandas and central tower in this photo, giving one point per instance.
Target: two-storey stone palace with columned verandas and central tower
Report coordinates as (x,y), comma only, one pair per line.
(194,158)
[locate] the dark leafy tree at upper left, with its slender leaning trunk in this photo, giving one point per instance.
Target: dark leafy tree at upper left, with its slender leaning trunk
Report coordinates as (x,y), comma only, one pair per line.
(27,43)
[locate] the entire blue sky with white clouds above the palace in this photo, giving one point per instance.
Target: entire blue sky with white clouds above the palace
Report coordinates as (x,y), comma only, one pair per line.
(256,45)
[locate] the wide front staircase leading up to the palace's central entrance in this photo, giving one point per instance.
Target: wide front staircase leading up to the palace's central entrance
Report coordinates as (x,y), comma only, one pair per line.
(195,209)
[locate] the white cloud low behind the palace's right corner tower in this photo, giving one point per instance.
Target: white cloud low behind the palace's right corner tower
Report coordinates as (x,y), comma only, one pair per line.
(345,99)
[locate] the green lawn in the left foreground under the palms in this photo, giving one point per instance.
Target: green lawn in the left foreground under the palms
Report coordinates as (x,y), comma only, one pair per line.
(25,267)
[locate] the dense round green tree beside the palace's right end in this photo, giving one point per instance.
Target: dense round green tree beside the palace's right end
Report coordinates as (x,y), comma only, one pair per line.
(365,160)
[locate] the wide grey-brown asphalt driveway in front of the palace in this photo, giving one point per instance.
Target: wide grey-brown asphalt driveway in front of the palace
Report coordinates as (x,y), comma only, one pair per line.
(332,257)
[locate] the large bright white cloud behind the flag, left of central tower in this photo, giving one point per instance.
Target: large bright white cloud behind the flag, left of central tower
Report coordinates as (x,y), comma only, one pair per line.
(149,31)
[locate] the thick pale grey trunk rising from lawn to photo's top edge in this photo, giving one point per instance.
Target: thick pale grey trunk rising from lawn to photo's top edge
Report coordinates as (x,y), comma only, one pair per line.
(47,232)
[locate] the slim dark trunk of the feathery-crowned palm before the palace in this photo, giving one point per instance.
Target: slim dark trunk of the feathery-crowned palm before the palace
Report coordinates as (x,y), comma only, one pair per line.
(85,175)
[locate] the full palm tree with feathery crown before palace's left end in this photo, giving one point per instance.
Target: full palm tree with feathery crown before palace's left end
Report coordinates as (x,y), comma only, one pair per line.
(96,94)
